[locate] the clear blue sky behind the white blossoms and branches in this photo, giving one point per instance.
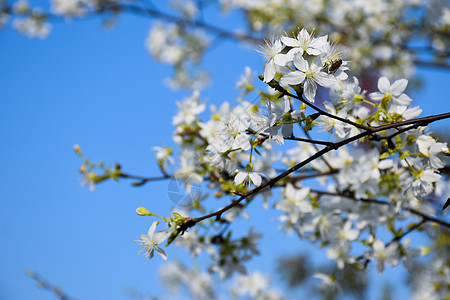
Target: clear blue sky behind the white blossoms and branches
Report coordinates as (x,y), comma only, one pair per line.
(101,90)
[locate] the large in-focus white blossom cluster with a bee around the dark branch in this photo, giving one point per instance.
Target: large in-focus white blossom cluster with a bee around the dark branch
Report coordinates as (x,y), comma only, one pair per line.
(360,188)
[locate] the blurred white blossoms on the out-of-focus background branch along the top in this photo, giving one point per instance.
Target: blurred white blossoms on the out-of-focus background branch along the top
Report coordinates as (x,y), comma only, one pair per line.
(380,34)
